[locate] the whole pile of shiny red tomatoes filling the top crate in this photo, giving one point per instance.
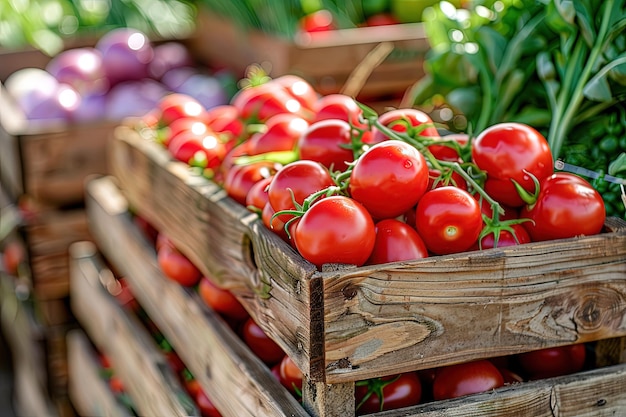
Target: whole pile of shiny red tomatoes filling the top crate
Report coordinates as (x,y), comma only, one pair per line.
(344,185)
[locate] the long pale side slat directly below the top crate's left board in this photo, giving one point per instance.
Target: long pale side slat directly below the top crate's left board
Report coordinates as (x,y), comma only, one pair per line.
(232,376)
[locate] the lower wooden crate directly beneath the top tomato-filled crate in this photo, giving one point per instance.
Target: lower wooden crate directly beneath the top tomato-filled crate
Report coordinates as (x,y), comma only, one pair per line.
(216,356)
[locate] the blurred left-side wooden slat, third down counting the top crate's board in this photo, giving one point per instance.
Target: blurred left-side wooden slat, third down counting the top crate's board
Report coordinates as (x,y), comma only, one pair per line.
(151,383)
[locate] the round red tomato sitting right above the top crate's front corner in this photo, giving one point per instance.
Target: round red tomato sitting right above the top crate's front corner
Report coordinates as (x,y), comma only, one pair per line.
(336,229)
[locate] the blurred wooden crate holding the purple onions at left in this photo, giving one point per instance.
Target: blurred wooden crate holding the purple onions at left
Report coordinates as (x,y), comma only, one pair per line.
(49,163)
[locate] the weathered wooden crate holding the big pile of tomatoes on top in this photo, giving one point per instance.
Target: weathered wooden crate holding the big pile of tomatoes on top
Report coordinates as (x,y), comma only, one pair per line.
(354,323)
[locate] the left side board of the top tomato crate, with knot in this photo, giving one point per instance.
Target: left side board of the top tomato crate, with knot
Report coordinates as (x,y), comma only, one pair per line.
(227,242)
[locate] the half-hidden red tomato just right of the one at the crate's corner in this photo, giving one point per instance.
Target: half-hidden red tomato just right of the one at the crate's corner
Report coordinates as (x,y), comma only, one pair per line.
(396,241)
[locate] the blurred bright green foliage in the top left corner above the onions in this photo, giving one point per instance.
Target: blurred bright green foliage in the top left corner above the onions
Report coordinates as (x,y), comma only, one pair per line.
(48,24)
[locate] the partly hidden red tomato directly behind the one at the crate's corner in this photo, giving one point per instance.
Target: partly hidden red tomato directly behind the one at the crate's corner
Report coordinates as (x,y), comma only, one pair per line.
(296,181)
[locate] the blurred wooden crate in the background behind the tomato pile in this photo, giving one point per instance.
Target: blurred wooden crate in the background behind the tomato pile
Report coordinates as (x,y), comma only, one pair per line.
(326,60)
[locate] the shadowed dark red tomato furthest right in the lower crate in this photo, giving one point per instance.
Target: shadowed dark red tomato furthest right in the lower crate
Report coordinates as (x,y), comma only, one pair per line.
(555,361)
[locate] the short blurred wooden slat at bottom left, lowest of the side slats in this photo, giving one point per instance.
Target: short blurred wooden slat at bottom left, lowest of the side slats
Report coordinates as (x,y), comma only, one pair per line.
(89,392)
